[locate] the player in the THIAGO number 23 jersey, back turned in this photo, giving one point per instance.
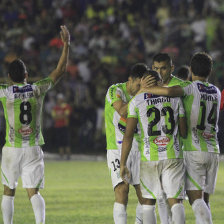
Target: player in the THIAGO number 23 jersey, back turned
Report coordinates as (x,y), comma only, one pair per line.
(162,167)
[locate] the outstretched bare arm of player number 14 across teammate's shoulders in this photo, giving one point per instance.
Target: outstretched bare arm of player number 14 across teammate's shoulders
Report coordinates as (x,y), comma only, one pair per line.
(173,91)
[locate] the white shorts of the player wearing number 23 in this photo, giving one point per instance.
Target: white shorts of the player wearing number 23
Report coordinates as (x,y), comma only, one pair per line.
(164,176)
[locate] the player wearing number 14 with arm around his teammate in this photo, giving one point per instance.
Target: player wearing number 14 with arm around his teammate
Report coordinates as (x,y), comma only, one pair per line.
(201,148)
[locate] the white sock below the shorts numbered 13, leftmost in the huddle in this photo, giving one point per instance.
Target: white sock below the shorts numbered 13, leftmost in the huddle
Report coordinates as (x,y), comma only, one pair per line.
(120,214)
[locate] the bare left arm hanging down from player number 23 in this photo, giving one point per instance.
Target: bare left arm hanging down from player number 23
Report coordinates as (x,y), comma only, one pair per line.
(126,147)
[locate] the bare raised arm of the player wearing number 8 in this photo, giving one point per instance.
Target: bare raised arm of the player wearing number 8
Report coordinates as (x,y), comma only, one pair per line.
(62,63)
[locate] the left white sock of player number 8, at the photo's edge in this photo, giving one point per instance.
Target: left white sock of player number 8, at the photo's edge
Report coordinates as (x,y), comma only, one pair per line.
(7,209)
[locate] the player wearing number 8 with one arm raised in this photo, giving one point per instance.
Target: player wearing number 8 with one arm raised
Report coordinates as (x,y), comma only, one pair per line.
(22,154)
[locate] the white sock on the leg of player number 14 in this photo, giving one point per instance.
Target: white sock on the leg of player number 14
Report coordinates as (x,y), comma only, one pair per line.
(201,212)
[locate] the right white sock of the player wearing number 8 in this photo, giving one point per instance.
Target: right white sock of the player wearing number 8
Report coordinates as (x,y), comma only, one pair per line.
(38,205)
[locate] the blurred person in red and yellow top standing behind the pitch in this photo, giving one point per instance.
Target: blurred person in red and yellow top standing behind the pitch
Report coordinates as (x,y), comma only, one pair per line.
(61,115)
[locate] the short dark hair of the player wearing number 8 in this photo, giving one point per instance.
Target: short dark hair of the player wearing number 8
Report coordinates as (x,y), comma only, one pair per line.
(17,70)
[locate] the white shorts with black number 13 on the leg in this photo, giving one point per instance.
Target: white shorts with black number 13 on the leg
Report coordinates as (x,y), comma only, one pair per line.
(133,165)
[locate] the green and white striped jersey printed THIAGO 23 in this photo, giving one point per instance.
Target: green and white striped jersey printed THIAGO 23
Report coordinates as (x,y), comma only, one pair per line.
(158,119)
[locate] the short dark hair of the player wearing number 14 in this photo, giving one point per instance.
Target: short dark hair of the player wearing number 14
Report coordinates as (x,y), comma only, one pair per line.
(201,64)
